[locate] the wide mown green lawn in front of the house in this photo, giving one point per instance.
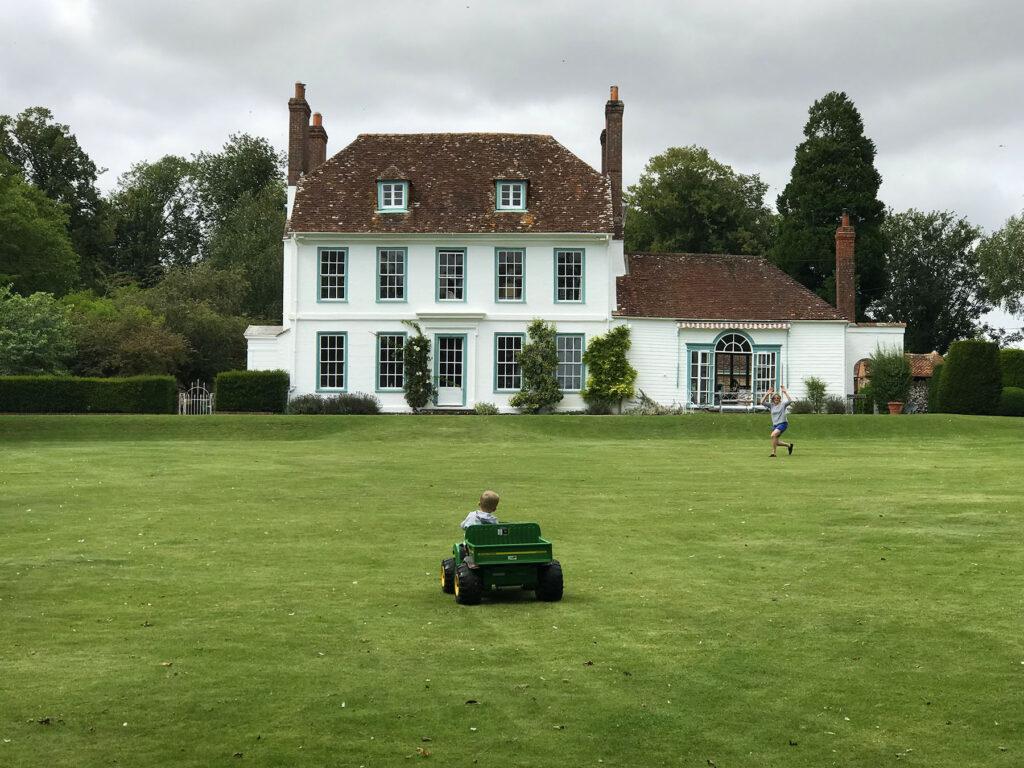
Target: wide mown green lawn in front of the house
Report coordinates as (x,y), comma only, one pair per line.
(234,591)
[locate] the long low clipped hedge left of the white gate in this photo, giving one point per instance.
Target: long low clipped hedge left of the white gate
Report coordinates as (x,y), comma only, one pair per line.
(70,395)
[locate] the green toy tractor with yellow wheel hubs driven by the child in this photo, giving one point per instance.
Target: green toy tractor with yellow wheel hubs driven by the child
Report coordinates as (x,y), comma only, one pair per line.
(494,558)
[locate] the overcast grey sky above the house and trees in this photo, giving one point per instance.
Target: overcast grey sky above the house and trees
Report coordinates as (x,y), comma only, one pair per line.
(940,84)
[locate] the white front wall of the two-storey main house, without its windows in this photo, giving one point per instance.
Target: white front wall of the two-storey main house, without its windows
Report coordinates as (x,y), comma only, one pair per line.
(362,317)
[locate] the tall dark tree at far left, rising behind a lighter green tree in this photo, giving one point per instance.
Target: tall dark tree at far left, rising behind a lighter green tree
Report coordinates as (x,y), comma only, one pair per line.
(51,158)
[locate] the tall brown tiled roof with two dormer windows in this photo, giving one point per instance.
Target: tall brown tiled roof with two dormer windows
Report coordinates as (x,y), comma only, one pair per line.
(452,187)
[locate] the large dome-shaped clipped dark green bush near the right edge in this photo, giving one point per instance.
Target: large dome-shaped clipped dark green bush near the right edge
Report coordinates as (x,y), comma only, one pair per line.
(972,379)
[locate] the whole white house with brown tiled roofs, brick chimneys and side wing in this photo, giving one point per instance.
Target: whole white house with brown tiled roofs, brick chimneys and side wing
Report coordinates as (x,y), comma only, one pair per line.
(474,235)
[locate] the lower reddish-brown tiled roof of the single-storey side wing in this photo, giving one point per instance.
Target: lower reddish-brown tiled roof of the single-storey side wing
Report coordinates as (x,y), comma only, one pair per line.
(690,286)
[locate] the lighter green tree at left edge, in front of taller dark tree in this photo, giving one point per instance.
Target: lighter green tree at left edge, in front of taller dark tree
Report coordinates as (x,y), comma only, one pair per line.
(36,253)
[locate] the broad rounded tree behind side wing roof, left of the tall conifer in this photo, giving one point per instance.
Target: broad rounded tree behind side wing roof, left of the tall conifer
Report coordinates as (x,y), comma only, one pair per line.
(688,201)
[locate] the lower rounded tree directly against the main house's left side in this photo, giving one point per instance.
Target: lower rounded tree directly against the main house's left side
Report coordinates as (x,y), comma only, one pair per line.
(248,242)
